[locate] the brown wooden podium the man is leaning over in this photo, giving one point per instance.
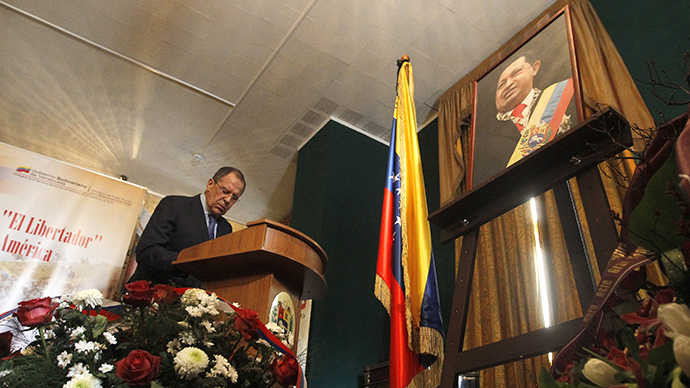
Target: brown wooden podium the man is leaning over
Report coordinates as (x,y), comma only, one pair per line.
(253,265)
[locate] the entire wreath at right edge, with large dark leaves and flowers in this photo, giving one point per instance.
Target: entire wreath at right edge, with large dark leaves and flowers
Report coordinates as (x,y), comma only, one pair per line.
(644,338)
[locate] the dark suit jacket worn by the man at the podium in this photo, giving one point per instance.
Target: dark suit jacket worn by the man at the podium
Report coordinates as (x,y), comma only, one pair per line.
(177,223)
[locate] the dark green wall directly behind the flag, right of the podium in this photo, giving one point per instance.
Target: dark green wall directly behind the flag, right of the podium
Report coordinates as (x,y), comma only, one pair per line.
(338,199)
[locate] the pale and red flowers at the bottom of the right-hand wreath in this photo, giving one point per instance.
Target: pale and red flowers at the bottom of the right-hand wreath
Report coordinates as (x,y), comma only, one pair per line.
(649,347)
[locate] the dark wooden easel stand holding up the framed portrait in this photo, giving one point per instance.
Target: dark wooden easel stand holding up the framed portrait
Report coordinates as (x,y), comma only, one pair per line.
(573,154)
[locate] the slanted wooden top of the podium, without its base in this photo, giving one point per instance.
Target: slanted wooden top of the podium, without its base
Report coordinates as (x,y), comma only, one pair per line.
(264,247)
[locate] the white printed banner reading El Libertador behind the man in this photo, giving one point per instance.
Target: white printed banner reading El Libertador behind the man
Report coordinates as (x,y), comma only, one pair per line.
(62,228)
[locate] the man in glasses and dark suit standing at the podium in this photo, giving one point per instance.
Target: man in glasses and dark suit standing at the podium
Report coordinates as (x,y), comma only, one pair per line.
(181,222)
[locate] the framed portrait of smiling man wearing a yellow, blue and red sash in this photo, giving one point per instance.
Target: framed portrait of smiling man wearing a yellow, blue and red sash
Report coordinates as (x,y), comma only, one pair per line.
(525,101)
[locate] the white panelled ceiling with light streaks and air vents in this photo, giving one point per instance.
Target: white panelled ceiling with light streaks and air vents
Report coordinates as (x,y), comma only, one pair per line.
(139,87)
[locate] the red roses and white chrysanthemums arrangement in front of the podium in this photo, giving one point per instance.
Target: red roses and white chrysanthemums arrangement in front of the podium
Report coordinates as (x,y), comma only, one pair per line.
(155,338)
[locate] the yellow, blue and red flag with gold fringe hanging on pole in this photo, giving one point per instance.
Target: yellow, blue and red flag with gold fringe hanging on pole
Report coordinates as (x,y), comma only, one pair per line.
(406,273)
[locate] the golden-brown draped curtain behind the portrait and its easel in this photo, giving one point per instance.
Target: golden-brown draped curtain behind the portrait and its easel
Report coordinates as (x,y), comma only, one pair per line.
(503,301)
